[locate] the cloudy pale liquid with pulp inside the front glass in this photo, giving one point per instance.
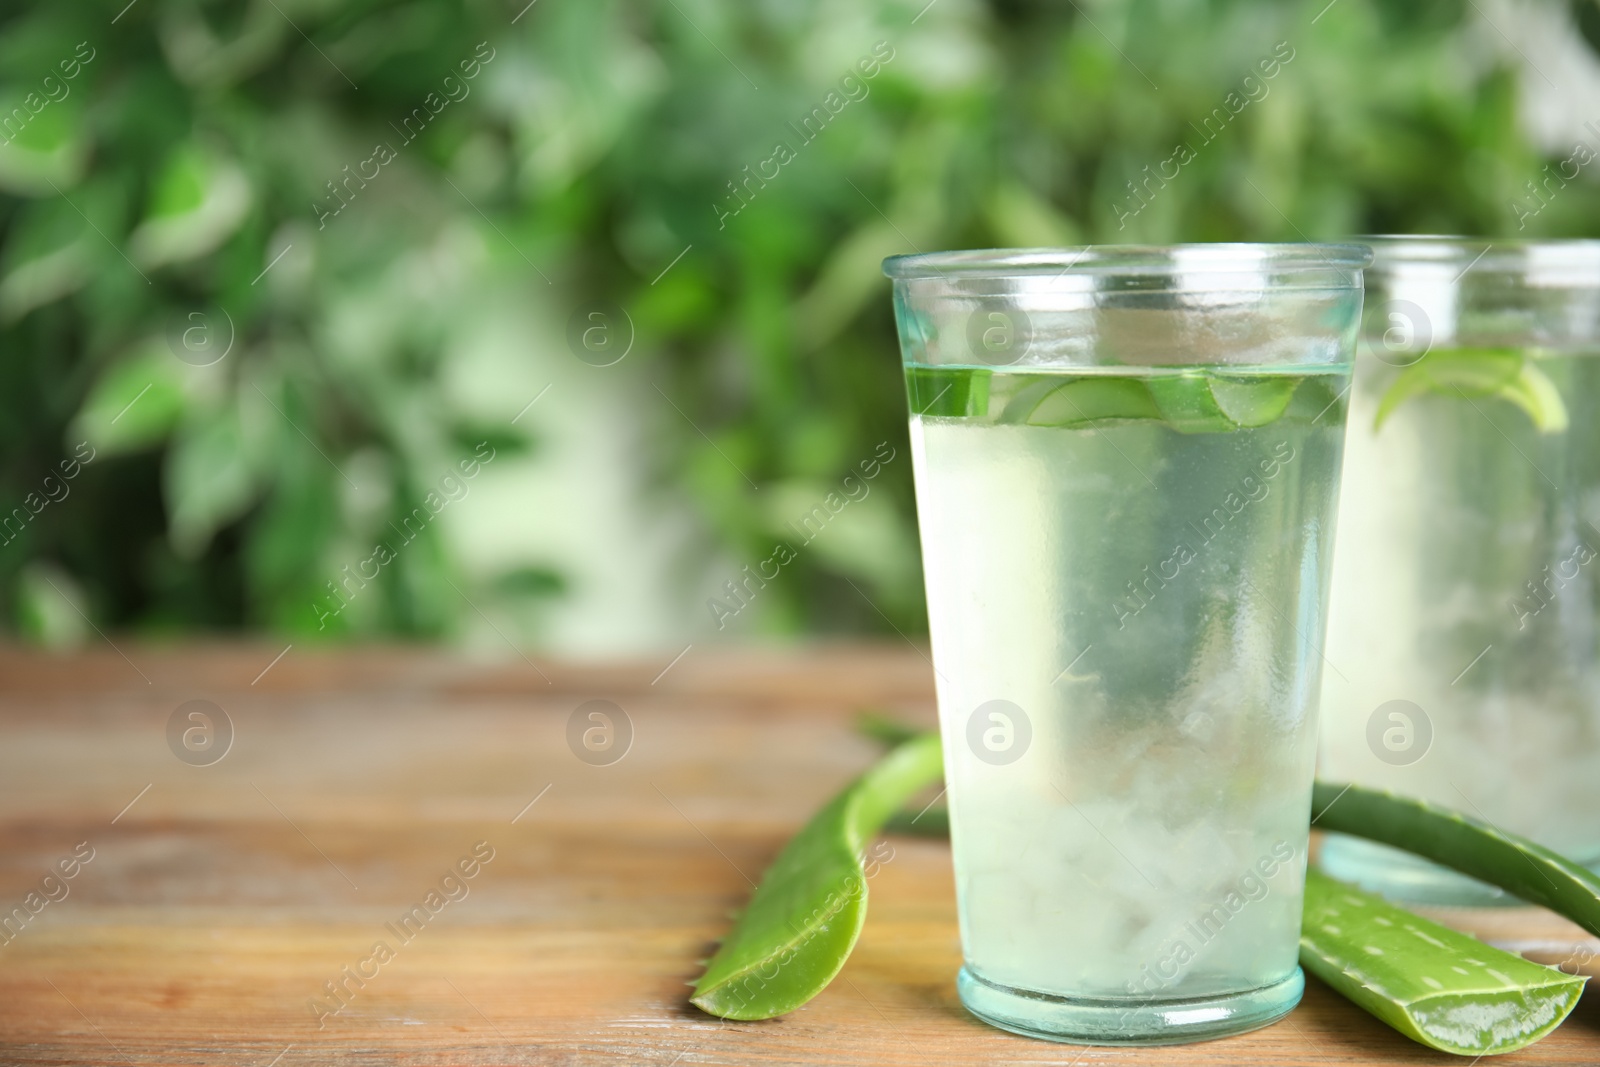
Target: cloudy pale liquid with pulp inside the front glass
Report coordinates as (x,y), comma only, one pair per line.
(1177,605)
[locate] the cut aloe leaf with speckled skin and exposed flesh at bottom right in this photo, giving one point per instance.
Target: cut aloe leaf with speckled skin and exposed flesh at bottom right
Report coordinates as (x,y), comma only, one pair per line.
(1434,985)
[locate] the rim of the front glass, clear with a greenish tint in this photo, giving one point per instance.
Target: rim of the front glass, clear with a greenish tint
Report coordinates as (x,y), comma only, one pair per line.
(1134,260)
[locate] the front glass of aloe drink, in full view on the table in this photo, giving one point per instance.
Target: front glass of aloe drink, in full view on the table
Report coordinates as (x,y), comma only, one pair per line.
(1127,463)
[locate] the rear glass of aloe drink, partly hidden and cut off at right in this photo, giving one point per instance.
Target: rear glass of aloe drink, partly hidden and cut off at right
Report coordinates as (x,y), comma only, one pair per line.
(1465,620)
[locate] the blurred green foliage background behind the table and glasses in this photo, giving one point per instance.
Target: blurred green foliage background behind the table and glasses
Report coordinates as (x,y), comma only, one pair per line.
(537,324)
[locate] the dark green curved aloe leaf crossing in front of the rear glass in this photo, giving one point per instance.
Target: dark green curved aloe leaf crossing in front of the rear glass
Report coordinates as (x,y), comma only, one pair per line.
(1510,861)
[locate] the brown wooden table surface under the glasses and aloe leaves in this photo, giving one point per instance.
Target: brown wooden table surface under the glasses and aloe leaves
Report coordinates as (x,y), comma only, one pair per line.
(220,900)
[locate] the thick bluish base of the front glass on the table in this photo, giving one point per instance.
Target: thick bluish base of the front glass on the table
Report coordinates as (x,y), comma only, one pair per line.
(1127,1021)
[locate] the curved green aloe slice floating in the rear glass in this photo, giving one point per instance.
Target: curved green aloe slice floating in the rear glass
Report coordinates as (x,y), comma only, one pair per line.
(1466,374)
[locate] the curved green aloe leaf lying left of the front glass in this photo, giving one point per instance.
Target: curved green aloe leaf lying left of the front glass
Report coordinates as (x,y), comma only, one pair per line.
(809,911)
